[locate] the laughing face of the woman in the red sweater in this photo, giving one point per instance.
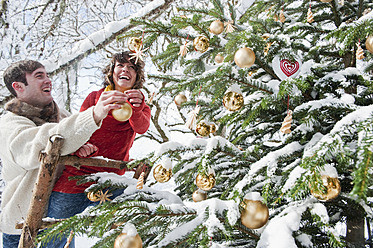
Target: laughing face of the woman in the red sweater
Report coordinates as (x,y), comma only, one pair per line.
(124,76)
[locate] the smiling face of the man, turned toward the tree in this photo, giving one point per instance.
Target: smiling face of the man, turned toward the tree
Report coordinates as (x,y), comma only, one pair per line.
(38,92)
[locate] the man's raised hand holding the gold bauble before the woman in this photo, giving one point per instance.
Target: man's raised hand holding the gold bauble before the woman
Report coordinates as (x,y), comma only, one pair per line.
(108,100)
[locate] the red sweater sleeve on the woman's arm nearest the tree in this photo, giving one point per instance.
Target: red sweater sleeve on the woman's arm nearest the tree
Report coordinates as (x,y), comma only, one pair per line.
(140,119)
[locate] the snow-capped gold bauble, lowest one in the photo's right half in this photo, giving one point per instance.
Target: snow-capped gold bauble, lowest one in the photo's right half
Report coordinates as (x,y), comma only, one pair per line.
(254,214)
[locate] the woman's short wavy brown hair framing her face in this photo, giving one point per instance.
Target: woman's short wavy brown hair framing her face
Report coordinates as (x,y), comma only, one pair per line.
(124,57)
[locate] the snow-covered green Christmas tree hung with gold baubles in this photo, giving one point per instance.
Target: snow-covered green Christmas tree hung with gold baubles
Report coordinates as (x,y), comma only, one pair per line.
(279,98)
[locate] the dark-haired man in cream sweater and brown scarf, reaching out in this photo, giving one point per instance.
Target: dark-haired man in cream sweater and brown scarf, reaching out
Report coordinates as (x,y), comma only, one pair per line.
(32,118)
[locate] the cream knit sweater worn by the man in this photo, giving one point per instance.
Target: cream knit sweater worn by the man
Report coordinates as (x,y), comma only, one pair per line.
(21,143)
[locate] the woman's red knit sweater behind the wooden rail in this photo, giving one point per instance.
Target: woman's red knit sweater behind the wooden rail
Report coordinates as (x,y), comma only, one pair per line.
(113,139)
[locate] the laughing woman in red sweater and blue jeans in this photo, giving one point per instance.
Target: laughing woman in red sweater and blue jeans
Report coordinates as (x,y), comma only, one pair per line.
(113,140)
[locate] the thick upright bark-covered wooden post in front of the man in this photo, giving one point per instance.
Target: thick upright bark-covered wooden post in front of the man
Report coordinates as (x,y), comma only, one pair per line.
(41,192)
